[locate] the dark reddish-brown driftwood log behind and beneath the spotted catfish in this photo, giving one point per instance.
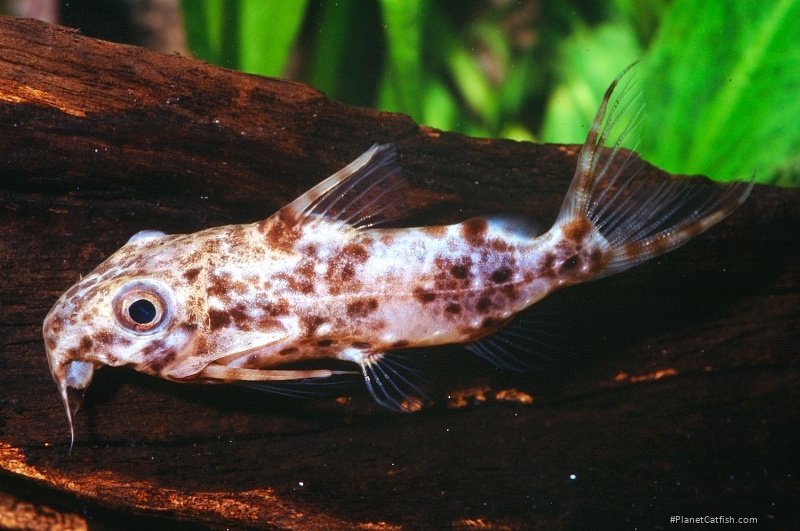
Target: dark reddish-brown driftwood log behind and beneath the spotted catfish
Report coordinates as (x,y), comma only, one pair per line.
(680,400)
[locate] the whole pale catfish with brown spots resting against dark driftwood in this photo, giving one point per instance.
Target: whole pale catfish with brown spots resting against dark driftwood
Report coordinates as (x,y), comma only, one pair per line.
(320,280)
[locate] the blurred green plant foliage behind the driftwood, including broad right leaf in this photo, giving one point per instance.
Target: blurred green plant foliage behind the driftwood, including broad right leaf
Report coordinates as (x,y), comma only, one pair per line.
(721,79)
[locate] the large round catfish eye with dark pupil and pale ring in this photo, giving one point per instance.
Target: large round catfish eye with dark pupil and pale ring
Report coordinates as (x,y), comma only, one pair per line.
(142,307)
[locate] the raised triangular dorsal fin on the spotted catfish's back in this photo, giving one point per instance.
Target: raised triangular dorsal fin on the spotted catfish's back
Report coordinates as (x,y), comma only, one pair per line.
(365,193)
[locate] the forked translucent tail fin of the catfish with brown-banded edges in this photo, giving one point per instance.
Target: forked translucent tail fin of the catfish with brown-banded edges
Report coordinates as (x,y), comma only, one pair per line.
(639,217)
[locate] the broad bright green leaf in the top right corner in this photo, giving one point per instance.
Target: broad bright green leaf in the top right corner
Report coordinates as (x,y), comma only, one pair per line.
(722,84)
